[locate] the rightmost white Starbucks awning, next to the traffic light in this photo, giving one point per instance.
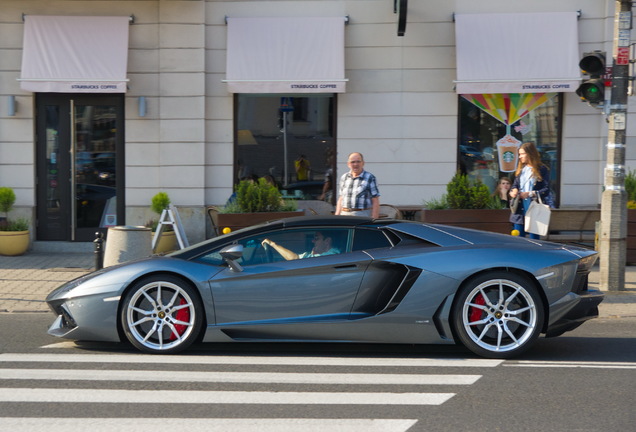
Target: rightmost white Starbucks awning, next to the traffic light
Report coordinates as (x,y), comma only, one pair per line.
(517,52)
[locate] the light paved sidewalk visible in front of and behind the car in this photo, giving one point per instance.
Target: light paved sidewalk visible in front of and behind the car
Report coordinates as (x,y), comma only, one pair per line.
(26,280)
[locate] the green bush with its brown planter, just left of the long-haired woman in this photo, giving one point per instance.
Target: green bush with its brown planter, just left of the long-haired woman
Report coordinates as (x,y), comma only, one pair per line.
(469,204)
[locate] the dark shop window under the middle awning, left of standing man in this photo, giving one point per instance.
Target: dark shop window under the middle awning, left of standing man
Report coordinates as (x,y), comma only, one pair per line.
(274,131)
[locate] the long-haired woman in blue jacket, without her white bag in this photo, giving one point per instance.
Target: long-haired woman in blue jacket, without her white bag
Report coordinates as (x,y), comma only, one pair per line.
(532,181)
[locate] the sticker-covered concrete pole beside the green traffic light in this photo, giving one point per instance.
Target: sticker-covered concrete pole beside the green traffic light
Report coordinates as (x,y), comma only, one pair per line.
(613,235)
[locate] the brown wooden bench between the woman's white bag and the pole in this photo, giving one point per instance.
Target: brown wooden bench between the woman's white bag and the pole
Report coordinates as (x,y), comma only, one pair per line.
(570,225)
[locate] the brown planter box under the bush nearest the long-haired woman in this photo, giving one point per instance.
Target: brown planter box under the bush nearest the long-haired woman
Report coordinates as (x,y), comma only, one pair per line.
(484,220)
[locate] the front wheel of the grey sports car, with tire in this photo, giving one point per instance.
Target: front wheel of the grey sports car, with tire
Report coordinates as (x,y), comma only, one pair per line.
(161,315)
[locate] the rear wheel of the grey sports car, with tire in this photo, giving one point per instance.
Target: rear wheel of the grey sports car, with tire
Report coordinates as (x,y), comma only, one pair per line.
(498,314)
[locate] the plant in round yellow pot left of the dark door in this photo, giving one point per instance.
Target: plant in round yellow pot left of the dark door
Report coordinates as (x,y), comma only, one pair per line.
(14,234)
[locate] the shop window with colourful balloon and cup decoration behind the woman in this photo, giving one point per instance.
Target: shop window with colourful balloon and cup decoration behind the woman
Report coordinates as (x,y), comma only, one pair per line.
(486,119)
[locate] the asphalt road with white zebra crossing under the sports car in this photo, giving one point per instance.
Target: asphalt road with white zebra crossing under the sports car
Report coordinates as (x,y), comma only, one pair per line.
(583,381)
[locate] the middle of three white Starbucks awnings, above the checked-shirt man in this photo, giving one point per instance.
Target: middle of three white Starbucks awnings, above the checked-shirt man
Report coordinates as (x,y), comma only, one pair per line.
(285,55)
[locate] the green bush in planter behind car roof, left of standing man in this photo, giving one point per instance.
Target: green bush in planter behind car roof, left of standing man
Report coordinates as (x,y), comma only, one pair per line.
(255,202)
